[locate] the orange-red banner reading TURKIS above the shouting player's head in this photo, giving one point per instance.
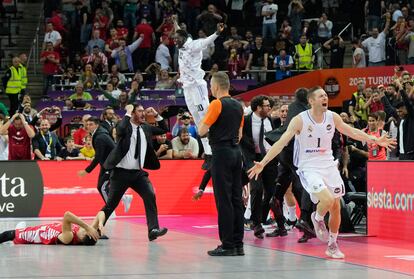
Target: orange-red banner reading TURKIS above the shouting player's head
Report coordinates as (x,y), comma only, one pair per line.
(338,83)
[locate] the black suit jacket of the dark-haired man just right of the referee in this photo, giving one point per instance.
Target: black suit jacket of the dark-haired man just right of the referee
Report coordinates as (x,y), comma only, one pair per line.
(247,143)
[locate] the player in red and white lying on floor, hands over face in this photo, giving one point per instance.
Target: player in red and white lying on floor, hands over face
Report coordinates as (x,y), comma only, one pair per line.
(71,231)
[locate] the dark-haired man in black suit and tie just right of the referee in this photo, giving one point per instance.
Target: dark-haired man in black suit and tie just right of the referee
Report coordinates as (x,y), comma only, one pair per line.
(254,148)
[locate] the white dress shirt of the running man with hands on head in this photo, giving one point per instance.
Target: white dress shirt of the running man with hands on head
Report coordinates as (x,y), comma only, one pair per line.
(129,162)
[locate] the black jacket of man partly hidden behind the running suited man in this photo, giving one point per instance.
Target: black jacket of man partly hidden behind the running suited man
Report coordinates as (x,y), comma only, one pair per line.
(103,144)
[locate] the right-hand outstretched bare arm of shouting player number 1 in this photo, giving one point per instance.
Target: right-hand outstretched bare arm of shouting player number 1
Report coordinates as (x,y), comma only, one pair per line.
(342,127)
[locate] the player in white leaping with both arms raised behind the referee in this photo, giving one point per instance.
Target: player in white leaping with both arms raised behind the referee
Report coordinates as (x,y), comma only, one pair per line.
(192,77)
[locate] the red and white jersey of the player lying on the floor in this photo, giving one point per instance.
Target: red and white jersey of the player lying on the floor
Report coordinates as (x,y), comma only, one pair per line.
(43,234)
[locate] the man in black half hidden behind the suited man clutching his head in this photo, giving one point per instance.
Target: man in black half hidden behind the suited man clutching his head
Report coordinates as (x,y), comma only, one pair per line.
(103,144)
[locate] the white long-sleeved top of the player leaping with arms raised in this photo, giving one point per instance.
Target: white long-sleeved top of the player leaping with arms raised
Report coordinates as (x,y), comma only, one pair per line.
(189,60)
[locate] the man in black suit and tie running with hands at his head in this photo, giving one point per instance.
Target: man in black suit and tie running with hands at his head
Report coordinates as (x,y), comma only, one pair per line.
(133,153)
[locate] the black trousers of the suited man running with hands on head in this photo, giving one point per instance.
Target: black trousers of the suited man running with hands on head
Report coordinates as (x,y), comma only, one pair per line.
(120,181)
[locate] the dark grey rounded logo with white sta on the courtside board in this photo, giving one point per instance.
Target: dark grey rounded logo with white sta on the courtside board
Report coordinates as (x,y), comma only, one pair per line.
(21,192)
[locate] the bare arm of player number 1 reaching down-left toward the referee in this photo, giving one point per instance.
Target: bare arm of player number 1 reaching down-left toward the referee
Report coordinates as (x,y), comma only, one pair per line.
(294,127)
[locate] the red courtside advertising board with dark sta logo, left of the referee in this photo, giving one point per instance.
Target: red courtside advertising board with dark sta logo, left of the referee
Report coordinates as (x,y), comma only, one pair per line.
(48,189)
